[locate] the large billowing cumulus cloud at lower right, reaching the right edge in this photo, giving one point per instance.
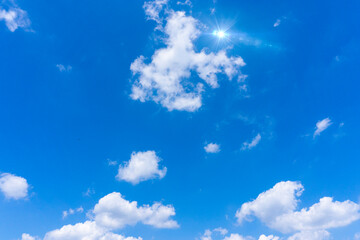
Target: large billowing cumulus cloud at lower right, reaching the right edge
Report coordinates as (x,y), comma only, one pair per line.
(277,209)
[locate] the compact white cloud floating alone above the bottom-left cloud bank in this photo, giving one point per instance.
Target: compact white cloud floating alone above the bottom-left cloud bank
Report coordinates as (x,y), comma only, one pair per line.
(142,166)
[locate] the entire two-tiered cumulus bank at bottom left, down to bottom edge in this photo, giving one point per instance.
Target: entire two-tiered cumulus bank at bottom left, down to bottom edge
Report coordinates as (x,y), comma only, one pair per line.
(112,213)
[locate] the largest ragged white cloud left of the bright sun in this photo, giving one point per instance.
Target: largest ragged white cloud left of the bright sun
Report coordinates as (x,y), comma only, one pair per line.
(166,78)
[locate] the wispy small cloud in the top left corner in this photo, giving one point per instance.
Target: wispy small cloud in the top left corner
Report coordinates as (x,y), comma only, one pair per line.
(14,18)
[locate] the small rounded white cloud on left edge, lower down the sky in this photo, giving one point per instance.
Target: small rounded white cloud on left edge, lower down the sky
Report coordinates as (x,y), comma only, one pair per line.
(13,187)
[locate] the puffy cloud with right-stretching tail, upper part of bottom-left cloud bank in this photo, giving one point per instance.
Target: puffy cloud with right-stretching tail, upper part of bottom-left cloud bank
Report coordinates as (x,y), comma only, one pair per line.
(115,212)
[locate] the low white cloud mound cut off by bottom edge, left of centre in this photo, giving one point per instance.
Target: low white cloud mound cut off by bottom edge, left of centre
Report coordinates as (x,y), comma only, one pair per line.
(88,230)
